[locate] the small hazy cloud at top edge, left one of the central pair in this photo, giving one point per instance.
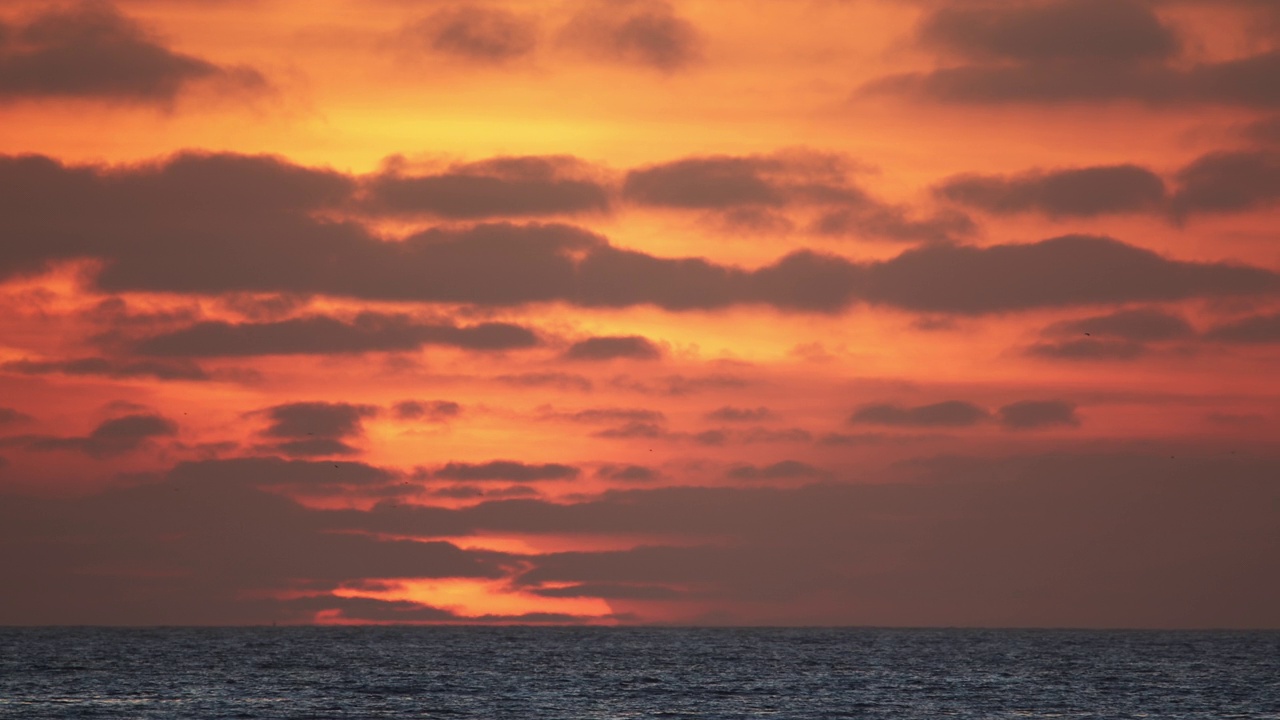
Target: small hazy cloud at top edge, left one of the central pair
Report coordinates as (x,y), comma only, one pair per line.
(477,34)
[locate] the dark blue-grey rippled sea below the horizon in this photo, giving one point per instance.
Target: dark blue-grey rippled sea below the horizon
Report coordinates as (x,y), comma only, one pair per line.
(604,673)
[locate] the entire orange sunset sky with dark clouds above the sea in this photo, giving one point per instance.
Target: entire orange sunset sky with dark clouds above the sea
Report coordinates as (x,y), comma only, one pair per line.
(641,312)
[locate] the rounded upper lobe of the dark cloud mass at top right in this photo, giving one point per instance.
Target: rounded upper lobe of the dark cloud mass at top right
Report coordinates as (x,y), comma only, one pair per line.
(1060,30)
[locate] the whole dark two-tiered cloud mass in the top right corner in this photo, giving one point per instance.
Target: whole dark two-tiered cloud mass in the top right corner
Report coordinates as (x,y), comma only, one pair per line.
(1072,52)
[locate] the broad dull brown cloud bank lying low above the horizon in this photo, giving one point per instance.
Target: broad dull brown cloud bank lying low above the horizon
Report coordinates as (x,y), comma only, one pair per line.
(1040,541)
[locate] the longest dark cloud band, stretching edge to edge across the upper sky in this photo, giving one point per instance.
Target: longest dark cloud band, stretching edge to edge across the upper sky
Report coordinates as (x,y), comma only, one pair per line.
(246,227)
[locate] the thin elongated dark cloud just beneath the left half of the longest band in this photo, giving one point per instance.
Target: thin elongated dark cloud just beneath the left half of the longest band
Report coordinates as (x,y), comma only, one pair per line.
(319,335)
